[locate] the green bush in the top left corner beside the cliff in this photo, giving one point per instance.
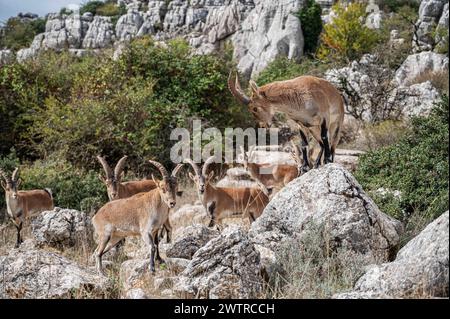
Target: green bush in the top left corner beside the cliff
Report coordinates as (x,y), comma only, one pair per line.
(20,33)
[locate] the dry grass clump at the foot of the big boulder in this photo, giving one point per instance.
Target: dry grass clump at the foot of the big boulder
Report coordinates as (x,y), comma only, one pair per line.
(312,269)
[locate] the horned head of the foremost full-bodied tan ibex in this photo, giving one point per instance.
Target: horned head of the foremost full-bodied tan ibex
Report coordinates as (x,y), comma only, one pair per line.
(168,186)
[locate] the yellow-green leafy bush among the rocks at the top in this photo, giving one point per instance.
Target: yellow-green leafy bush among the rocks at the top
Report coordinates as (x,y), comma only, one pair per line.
(346,38)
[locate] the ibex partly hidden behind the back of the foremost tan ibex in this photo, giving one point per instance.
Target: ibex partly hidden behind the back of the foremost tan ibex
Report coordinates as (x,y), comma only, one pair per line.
(114,186)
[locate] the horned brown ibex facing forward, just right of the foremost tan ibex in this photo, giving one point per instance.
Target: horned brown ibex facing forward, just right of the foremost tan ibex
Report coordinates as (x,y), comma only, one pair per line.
(222,202)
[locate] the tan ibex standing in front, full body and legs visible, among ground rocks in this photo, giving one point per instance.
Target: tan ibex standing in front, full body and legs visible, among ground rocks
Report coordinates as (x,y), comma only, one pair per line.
(142,215)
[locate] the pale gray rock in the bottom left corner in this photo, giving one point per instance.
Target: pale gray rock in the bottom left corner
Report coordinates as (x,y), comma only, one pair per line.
(29,272)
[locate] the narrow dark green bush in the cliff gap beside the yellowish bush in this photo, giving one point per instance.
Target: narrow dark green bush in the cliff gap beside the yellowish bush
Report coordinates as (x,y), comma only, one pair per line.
(311,20)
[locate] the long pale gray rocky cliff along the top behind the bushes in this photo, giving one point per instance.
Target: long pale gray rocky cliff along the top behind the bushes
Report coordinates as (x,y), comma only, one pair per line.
(260,30)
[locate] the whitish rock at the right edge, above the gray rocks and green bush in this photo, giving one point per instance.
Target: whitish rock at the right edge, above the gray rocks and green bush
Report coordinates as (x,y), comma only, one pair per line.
(420,63)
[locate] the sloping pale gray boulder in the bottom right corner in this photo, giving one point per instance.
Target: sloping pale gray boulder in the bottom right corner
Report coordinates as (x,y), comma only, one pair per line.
(420,269)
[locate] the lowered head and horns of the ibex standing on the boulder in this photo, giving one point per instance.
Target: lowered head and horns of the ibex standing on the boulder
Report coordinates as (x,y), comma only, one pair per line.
(257,104)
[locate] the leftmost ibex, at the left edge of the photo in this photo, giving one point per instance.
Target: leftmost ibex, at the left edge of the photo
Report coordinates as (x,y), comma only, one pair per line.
(22,205)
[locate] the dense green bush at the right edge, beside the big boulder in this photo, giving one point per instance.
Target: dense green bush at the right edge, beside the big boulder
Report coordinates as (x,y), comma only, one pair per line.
(417,166)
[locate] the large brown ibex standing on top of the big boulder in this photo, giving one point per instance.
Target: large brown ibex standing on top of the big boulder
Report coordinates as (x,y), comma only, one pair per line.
(313,103)
